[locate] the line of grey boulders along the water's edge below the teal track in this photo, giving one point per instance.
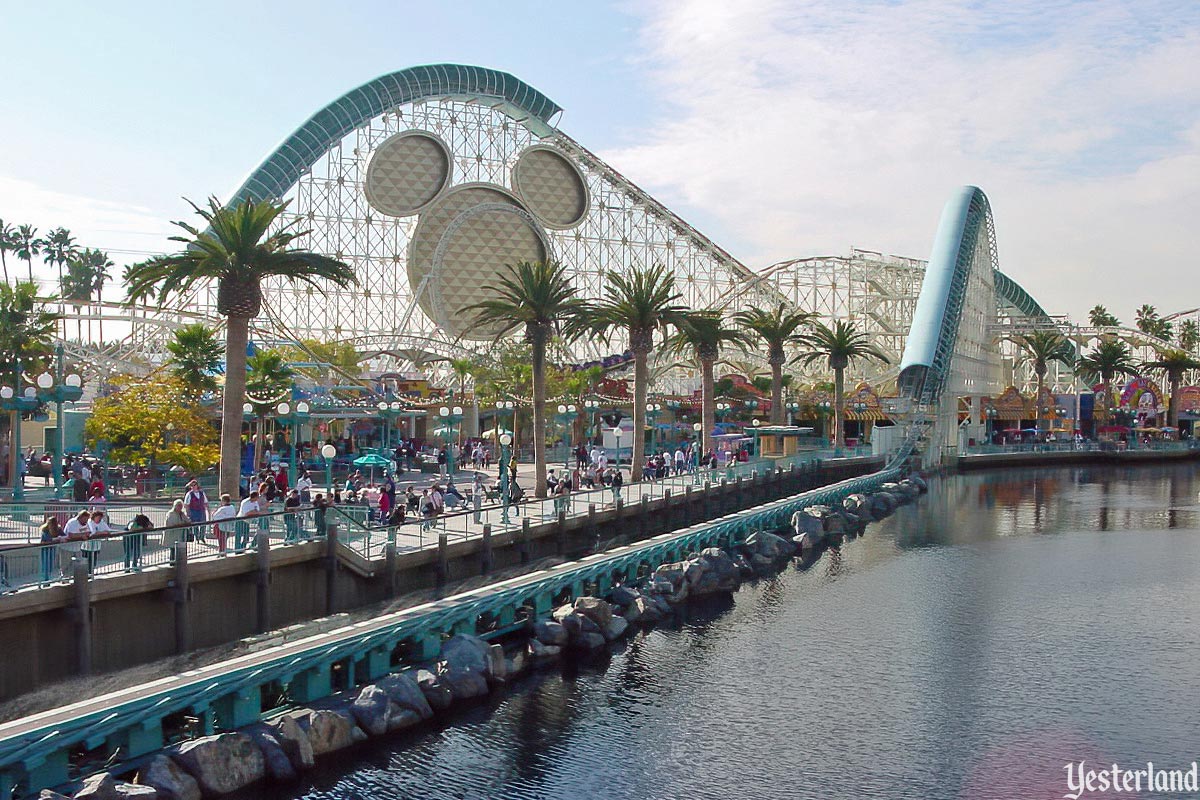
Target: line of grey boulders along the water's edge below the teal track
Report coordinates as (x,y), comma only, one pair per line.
(470,667)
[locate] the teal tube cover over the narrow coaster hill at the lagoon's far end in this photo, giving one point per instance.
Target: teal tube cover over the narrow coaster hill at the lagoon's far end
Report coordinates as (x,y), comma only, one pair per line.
(929,350)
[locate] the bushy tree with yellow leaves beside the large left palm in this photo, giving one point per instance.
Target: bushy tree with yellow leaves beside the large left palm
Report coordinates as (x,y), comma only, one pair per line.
(154,423)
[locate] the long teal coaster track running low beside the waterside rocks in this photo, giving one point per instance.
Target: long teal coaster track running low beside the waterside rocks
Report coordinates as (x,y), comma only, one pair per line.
(37,753)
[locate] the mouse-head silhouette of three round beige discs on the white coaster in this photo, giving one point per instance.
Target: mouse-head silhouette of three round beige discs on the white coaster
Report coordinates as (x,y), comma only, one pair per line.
(466,234)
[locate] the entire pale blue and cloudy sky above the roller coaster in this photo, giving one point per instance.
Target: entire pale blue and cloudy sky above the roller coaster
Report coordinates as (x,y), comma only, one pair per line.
(779,129)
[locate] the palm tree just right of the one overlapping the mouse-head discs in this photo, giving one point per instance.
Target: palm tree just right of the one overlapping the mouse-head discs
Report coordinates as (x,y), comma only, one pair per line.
(641,304)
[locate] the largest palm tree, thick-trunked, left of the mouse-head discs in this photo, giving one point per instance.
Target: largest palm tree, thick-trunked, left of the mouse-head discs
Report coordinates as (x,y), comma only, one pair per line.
(238,252)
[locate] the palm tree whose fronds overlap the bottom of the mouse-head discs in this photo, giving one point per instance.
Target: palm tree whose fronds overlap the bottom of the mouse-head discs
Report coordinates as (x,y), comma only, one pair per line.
(538,298)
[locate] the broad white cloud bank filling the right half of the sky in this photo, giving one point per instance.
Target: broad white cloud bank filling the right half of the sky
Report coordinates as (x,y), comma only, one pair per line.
(796,129)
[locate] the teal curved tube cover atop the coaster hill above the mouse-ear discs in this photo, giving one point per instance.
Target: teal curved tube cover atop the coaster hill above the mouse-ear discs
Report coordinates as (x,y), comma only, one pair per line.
(281,171)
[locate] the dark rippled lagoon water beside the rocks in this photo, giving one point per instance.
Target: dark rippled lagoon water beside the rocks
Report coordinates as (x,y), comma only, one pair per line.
(969,647)
